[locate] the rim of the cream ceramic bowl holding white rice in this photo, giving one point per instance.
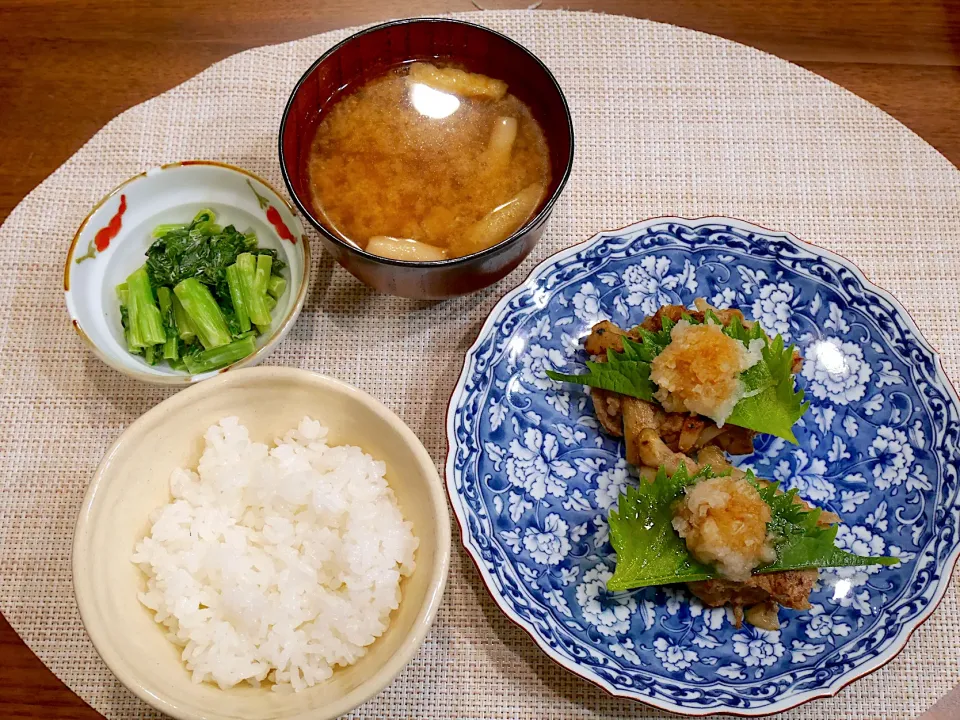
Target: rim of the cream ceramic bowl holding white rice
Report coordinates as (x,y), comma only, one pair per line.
(182,401)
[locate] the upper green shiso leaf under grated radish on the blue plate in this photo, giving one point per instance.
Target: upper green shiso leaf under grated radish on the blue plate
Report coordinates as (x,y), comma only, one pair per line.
(770,403)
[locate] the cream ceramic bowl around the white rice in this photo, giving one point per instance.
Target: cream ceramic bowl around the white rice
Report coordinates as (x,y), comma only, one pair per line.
(133,480)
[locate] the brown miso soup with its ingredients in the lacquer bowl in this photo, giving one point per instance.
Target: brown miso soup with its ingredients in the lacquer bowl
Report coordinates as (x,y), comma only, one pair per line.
(427,162)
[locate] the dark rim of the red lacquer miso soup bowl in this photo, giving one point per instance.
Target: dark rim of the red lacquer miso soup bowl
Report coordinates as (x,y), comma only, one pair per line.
(537,219)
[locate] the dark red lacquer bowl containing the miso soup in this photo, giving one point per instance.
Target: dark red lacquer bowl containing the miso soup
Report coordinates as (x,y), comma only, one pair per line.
(370,53)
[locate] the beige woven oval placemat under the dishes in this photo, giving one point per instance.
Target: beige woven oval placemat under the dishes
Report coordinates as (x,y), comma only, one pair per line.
(668,122)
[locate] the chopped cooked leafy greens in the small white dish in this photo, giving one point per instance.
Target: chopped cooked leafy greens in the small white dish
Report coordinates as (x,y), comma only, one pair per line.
(203,296)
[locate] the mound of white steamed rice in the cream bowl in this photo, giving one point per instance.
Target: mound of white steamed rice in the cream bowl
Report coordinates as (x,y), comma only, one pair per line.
(275,564)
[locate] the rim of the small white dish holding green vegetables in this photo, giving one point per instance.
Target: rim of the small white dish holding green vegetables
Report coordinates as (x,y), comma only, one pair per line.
(186,379)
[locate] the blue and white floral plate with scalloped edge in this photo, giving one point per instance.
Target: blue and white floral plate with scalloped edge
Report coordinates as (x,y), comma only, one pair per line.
(531,477)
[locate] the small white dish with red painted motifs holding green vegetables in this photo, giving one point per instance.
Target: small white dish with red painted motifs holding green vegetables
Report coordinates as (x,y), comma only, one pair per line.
(112,241)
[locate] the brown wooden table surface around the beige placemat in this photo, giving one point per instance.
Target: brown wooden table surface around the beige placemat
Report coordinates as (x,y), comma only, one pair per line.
(69,67)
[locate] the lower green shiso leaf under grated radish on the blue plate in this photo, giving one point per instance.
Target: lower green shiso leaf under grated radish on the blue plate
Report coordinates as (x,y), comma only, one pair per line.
(650,552)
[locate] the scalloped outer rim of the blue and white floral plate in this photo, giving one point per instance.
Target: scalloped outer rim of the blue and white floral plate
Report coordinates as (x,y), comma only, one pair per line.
(801,698)
